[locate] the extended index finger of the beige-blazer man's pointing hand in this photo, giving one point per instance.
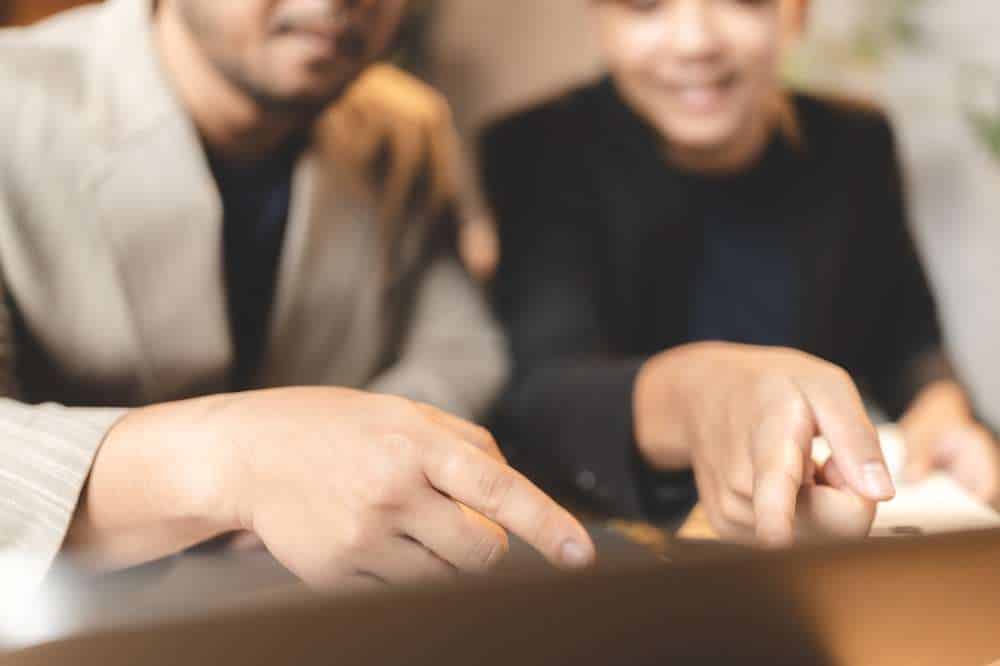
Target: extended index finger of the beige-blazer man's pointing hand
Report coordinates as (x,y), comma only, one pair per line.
(500,493)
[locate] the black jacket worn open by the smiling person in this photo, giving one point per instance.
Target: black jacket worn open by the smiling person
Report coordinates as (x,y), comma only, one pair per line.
(588,208)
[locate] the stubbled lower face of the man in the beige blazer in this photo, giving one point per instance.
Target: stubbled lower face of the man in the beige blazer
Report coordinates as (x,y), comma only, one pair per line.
(289,53)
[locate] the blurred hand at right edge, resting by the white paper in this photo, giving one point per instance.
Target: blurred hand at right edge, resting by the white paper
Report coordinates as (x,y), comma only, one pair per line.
(941,433)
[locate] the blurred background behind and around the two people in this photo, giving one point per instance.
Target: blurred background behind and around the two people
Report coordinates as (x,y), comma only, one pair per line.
(933,64)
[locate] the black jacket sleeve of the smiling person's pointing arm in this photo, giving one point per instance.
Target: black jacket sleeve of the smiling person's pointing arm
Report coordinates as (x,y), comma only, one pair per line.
(566,421)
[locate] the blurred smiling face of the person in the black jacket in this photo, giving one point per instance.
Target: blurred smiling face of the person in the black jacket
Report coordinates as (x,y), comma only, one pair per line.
(705,73)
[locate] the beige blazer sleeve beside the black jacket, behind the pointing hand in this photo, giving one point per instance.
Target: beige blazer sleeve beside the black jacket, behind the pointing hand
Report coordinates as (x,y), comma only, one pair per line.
(453,354)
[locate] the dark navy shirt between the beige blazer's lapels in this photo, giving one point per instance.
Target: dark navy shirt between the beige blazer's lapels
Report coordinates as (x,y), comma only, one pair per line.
(255,199)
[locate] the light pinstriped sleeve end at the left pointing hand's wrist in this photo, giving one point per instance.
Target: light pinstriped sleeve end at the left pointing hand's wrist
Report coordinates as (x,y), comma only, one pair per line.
(46,452)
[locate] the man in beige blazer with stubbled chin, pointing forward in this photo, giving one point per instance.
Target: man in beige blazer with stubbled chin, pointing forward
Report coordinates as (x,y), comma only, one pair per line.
(185,214)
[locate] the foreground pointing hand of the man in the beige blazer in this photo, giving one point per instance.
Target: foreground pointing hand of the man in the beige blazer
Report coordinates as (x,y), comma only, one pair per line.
(342,487)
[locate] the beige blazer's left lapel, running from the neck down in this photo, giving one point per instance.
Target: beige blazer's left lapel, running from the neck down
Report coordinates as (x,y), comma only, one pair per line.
(161,214)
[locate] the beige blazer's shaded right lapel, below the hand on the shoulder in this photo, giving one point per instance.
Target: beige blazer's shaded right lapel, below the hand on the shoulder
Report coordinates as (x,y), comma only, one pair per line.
(327,296)
